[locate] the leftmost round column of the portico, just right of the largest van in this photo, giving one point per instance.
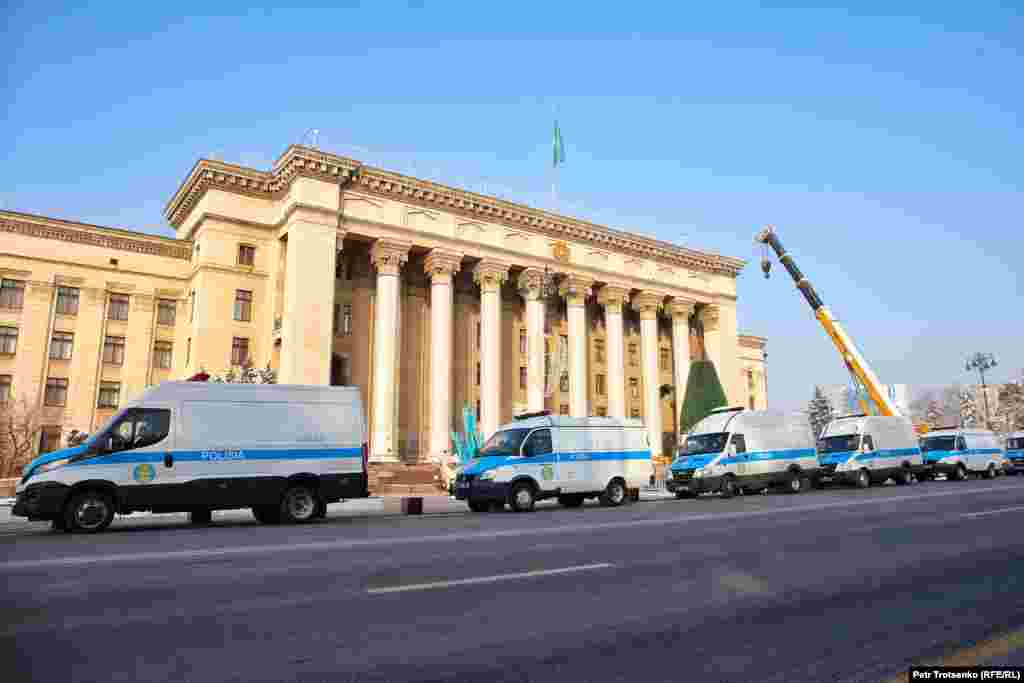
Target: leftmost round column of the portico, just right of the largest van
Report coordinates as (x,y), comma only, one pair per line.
(388,258)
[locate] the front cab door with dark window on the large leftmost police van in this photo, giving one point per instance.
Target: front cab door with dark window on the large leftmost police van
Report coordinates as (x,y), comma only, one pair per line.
(137,453)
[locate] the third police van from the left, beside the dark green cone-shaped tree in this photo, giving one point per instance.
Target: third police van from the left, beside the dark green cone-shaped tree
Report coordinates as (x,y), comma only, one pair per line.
(736,449)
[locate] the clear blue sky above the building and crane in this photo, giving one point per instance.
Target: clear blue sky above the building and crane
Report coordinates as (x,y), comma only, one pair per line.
(883,141)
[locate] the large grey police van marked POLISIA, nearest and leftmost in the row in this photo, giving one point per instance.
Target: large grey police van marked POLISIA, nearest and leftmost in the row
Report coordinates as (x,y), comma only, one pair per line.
(285,451)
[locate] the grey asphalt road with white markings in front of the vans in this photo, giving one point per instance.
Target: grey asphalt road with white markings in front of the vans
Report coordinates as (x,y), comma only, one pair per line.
(828,586)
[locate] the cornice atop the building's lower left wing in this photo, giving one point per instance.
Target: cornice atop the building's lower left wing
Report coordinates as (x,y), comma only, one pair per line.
(108,238)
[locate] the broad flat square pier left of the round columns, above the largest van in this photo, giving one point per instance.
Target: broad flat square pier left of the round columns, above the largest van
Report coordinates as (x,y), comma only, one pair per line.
(309,307)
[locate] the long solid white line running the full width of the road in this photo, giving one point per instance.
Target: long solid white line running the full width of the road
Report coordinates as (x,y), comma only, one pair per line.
(461,537)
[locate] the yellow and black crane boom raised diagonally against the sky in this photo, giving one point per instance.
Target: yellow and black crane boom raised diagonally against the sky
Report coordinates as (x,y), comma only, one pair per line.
(856,363)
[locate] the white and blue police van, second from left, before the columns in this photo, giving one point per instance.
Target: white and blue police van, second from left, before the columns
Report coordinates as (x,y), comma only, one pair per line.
(539,457)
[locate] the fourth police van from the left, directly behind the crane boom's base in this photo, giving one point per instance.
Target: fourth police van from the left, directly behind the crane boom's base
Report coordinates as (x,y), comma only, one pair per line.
(864,450)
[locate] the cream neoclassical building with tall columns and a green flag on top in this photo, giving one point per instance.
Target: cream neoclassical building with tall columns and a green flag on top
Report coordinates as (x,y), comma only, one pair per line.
(428,297)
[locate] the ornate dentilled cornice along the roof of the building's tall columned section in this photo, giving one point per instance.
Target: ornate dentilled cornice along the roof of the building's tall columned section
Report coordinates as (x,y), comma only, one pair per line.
(306,162)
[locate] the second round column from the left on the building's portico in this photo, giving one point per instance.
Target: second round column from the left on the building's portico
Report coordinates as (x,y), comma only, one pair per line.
(441,266)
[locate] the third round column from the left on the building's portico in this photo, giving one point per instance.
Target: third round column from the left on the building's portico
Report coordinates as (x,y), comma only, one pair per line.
(491,276)
